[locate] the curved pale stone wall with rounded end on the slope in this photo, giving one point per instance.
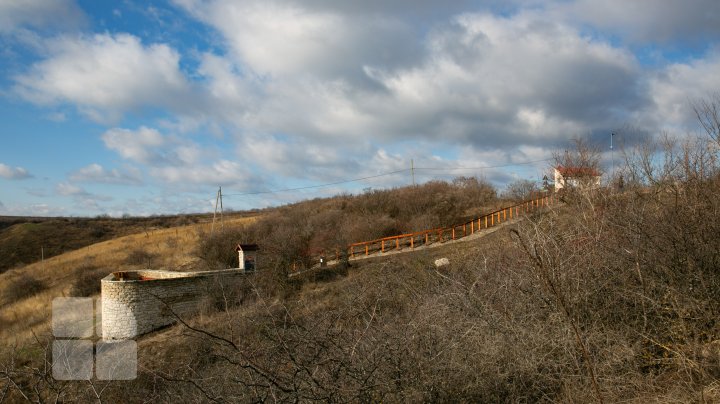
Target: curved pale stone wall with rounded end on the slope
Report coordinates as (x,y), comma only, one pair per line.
(137,302)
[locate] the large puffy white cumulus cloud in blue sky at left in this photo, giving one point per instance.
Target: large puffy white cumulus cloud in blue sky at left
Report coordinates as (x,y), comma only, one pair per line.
(105,75)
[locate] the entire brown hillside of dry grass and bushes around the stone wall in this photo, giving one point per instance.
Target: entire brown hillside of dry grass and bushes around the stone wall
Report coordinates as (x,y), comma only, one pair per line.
(610,296)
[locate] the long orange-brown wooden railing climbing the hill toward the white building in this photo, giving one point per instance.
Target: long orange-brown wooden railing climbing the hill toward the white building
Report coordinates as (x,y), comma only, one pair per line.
(427,237)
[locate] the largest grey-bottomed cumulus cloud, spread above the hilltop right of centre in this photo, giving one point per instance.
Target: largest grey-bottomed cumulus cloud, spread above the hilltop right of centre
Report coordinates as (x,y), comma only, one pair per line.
(491,81)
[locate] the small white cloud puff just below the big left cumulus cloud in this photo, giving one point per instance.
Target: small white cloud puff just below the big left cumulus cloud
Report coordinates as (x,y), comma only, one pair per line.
(138,146)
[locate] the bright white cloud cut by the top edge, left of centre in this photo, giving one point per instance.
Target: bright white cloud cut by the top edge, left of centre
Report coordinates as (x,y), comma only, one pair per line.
(287,38)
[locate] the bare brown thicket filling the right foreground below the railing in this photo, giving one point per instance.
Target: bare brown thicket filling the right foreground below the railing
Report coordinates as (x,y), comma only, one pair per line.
(613,296)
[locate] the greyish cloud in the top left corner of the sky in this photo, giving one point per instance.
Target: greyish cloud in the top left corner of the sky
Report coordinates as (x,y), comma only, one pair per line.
(39,14)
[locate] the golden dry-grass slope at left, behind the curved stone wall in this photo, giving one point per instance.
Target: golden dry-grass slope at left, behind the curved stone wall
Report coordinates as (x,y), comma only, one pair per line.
(26,292)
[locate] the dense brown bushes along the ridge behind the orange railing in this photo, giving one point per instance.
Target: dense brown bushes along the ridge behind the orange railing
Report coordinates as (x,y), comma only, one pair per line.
(297,234)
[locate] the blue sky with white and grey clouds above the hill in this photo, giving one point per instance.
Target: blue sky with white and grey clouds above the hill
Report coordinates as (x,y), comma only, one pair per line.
(148,107)
